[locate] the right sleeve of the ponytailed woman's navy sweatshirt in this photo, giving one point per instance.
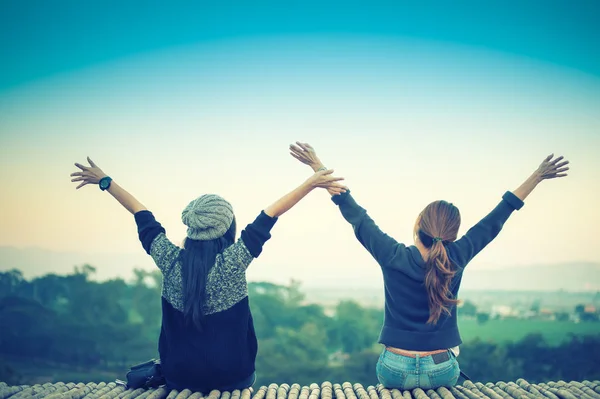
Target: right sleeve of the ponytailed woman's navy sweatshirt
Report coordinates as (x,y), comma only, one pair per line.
(480,235)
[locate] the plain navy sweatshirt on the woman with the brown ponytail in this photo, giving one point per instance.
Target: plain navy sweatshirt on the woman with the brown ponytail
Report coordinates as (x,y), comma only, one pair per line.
(406,300)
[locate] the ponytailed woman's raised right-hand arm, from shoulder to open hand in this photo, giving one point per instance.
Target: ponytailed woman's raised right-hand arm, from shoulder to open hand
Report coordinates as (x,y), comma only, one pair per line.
(480,235)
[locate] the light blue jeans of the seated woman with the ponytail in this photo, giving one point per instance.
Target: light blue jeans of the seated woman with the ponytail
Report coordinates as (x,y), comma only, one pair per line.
(403,372)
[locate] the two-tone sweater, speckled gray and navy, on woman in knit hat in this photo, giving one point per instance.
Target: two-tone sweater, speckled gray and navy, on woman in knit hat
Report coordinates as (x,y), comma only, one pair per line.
(224,352)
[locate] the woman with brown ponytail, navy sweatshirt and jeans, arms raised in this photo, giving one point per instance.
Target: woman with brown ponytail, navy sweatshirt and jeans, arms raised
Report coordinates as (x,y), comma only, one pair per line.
(420,332)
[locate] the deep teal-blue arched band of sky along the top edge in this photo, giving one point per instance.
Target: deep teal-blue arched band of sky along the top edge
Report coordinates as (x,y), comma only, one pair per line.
(41,38)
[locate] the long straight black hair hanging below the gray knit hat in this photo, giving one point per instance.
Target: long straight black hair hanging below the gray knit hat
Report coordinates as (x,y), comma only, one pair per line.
(197,258)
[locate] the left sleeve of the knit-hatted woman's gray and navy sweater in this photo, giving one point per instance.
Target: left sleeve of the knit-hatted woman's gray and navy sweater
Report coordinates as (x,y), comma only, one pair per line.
(155,242)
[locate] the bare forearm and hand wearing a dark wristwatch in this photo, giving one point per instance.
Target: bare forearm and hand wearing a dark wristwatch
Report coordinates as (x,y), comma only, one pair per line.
(93,175)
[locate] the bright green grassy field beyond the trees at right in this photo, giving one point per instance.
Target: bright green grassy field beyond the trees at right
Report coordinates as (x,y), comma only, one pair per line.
(514,330)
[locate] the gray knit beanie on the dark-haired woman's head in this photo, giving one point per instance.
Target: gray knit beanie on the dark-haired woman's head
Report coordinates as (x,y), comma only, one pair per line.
(207,217)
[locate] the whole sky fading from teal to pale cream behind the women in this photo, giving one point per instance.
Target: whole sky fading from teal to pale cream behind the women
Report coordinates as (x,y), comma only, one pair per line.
(409,102)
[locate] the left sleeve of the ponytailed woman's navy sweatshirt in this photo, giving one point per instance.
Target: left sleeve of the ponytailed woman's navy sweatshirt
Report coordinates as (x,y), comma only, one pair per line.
(386,250)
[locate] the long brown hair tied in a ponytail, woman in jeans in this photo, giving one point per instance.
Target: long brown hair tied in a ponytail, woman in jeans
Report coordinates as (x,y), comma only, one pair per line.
(437,224)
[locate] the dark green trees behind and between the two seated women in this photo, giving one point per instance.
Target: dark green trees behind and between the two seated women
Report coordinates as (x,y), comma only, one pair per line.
(84,324)
